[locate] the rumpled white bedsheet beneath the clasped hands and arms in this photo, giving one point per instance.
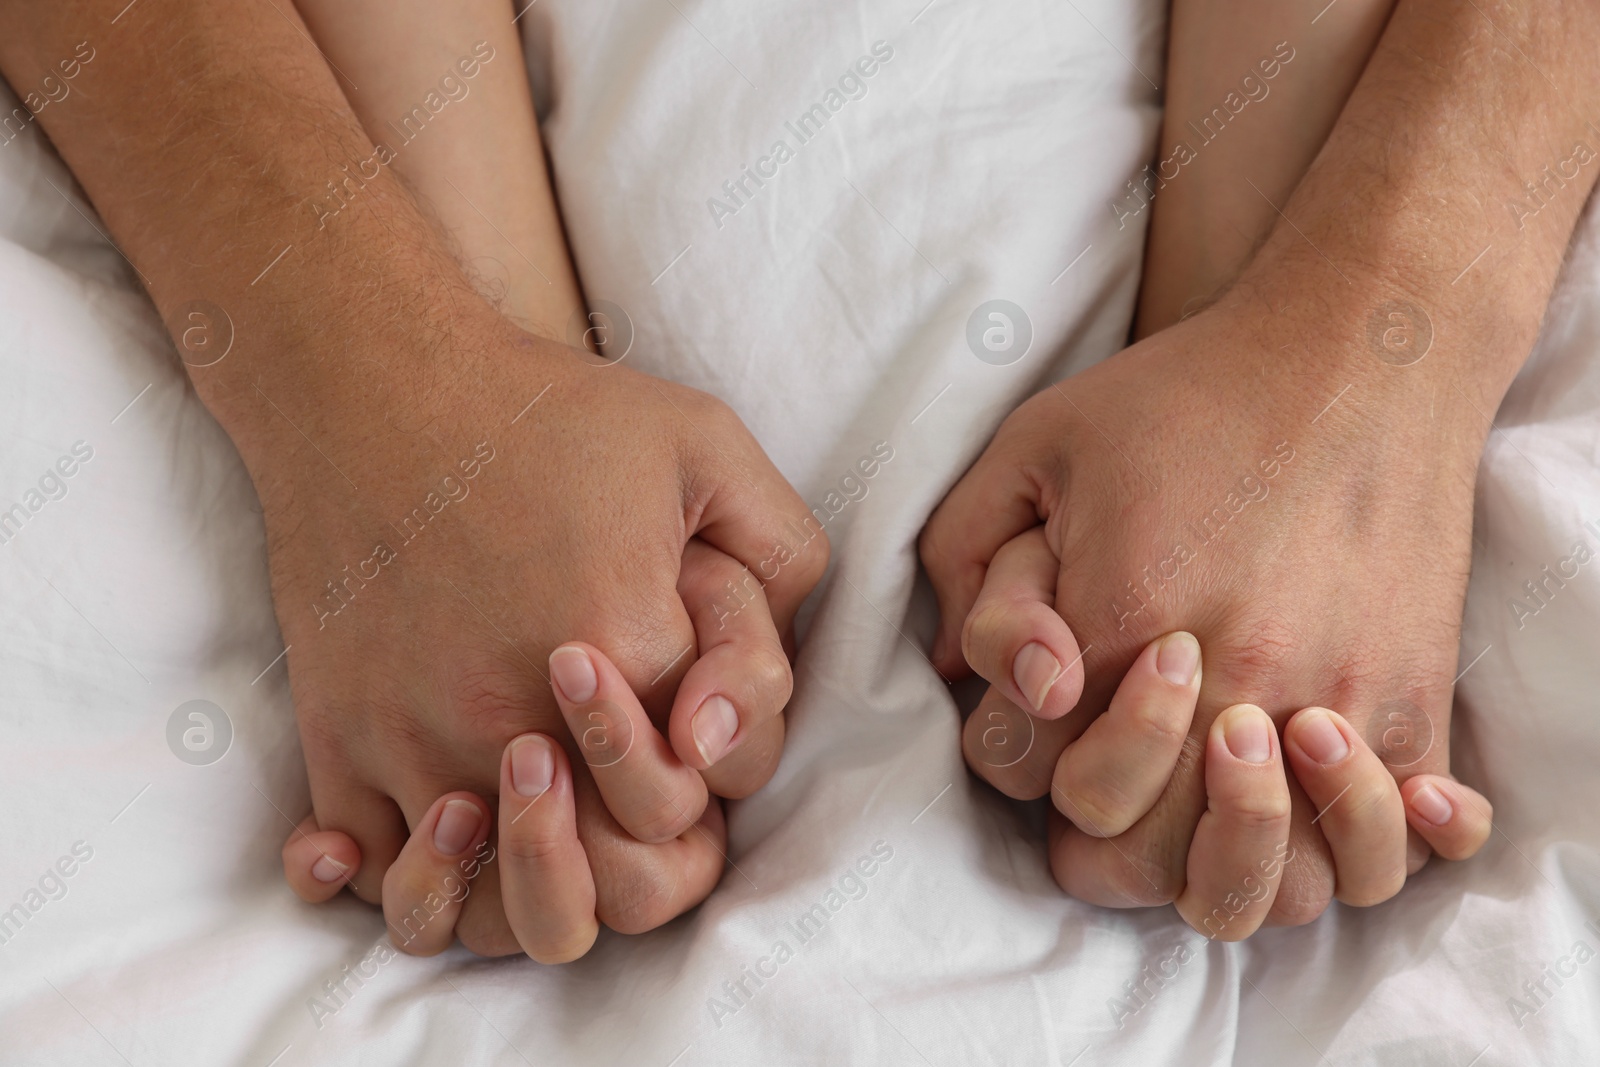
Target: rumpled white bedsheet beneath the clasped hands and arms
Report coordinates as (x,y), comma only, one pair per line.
(831,311)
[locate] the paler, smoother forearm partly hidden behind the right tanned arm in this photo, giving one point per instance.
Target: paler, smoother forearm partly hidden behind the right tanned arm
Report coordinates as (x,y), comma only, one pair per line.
(1252,92)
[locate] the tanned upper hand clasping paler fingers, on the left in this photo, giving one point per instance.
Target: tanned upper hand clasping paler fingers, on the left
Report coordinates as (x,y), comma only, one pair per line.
(422,599)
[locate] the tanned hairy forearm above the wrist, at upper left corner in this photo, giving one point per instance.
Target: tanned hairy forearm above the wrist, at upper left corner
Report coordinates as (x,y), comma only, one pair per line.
(206,135)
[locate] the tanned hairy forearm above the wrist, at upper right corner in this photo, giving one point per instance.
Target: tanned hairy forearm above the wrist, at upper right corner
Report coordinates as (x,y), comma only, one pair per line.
(1426,238)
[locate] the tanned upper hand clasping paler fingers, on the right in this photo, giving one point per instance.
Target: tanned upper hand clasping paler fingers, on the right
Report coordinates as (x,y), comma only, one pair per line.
(1198,484)
